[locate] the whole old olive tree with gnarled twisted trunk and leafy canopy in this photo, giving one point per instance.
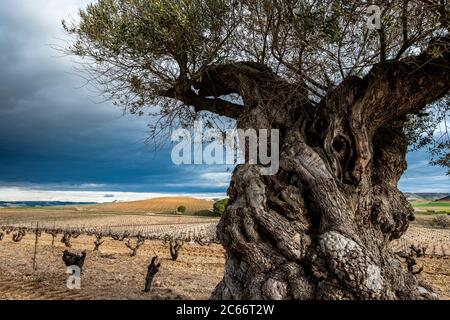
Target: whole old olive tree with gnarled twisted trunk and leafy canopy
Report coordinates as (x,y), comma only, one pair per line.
(349,92)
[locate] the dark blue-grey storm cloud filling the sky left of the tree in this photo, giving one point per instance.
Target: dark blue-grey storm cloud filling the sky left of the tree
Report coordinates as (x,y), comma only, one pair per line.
(50,130)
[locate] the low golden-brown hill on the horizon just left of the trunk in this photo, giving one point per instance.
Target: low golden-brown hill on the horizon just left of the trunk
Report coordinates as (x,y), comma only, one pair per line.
(158,205)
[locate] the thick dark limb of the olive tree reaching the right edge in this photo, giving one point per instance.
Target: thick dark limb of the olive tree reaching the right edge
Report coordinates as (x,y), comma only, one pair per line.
(394,89)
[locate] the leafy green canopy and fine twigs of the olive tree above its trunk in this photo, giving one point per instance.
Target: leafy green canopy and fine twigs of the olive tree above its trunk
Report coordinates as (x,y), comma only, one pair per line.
(150,56)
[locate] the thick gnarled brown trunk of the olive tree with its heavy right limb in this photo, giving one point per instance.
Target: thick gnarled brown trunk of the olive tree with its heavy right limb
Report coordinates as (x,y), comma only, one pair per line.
(320,228)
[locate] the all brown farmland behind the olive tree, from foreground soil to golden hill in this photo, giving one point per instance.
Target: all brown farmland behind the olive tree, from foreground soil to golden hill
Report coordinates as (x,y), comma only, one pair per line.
(112,273)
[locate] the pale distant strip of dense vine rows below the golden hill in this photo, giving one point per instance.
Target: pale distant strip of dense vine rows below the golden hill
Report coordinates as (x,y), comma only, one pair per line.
(202,231)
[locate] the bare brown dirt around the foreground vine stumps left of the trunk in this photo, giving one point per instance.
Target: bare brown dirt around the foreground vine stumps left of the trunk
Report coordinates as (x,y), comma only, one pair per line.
(108,274)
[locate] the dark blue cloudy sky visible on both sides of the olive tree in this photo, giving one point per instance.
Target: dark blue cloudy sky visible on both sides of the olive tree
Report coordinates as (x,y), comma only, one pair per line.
(58,142)
